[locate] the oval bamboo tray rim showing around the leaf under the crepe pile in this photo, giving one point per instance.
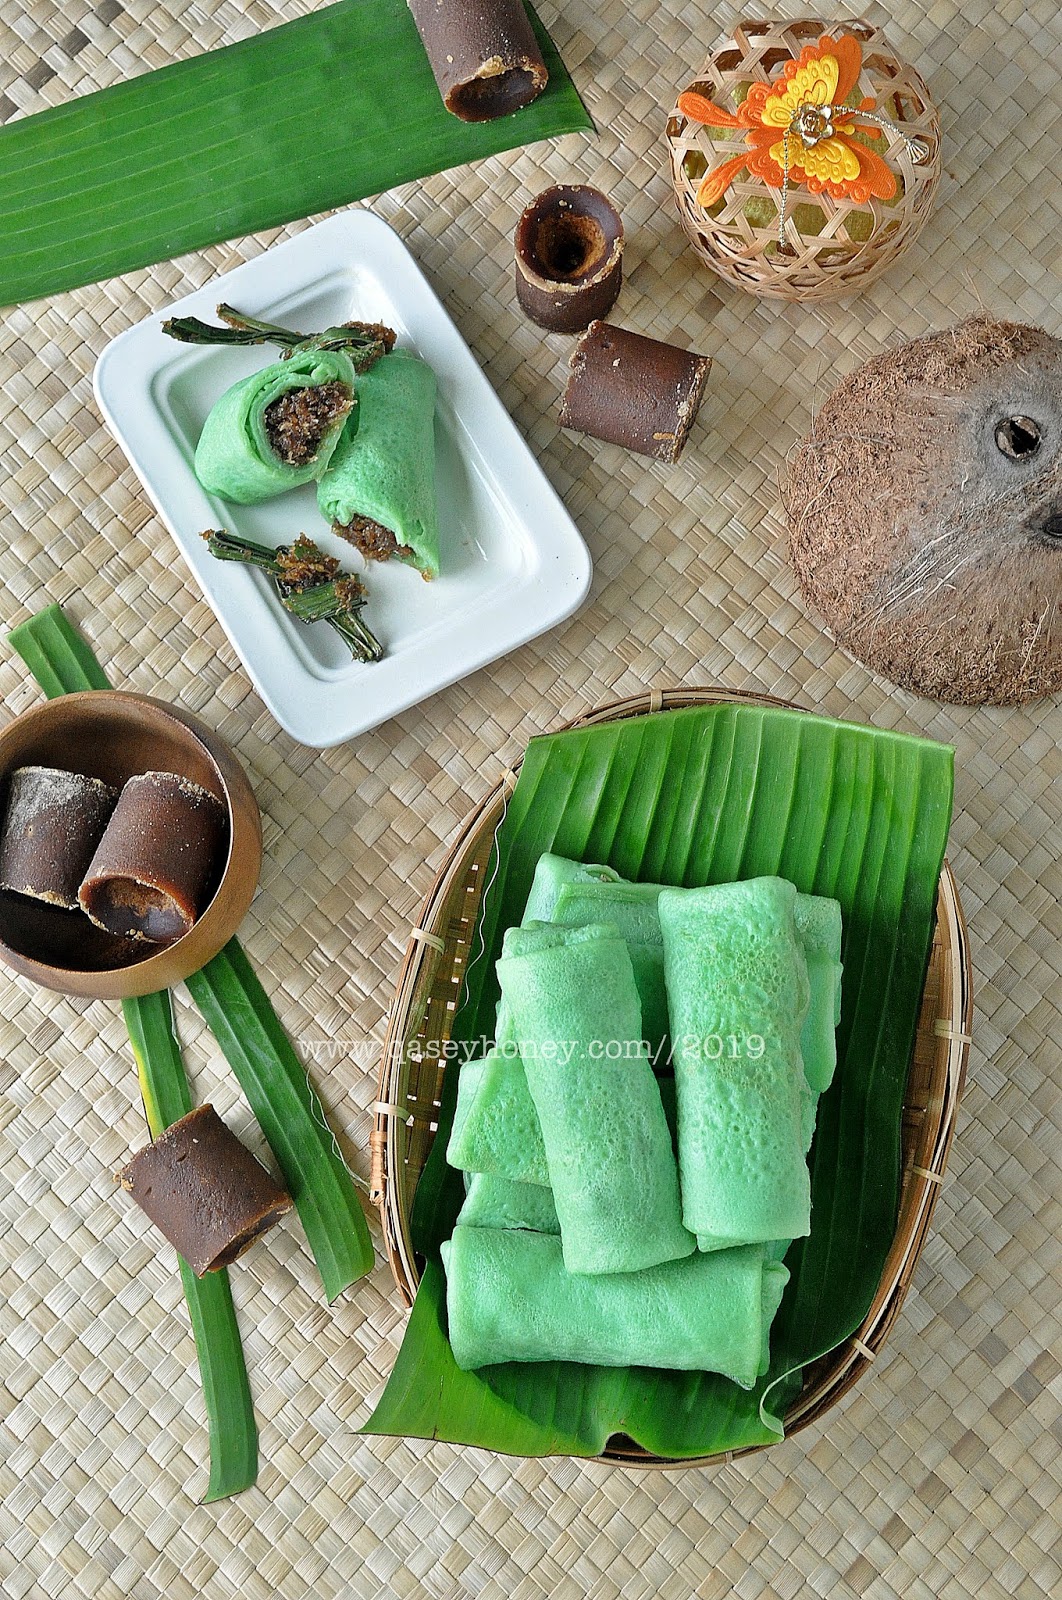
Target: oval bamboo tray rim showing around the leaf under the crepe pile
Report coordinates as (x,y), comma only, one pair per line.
(429,990)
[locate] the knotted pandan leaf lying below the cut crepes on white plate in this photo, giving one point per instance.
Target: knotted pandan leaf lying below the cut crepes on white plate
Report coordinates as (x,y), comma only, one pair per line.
(311,585)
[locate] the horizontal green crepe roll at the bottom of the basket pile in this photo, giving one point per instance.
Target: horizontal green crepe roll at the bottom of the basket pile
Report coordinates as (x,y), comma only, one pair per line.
(511,1298)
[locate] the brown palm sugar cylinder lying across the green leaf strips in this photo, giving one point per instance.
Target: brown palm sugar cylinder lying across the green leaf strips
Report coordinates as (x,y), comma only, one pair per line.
(204,1191)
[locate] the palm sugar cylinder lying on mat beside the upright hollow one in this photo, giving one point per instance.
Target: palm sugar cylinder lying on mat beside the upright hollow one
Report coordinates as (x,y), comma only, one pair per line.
(633,391)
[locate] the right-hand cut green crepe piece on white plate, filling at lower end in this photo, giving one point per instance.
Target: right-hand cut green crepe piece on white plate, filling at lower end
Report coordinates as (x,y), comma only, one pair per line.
(380,489)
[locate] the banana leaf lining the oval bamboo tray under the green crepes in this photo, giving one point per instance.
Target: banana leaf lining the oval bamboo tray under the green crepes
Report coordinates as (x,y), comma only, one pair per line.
(693,798)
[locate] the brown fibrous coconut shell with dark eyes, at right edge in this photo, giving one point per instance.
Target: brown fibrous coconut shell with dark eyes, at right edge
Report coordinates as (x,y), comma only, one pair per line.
(927,514)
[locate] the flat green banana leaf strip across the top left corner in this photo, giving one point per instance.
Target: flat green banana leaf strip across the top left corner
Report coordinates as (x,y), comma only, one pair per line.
(301,119)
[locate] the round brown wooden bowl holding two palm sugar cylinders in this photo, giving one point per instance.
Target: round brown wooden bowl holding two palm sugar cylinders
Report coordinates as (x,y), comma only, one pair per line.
(113,735)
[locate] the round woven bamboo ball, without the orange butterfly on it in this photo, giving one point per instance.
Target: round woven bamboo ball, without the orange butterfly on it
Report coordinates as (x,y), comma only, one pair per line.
(834,246)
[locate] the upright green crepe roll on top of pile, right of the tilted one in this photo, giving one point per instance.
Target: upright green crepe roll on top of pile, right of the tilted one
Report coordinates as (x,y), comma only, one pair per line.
(738,990)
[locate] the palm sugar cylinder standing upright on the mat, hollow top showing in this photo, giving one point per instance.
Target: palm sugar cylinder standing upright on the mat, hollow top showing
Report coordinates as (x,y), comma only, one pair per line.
(570,258)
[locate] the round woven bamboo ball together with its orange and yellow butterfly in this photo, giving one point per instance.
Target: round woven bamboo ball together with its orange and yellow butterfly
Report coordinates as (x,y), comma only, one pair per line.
(812,132)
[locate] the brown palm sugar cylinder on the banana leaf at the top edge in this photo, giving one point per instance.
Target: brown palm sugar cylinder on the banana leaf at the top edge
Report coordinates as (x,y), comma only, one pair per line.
(484,55)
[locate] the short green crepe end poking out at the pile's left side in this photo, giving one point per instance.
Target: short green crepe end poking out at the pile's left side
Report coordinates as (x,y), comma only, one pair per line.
(497,1127)
